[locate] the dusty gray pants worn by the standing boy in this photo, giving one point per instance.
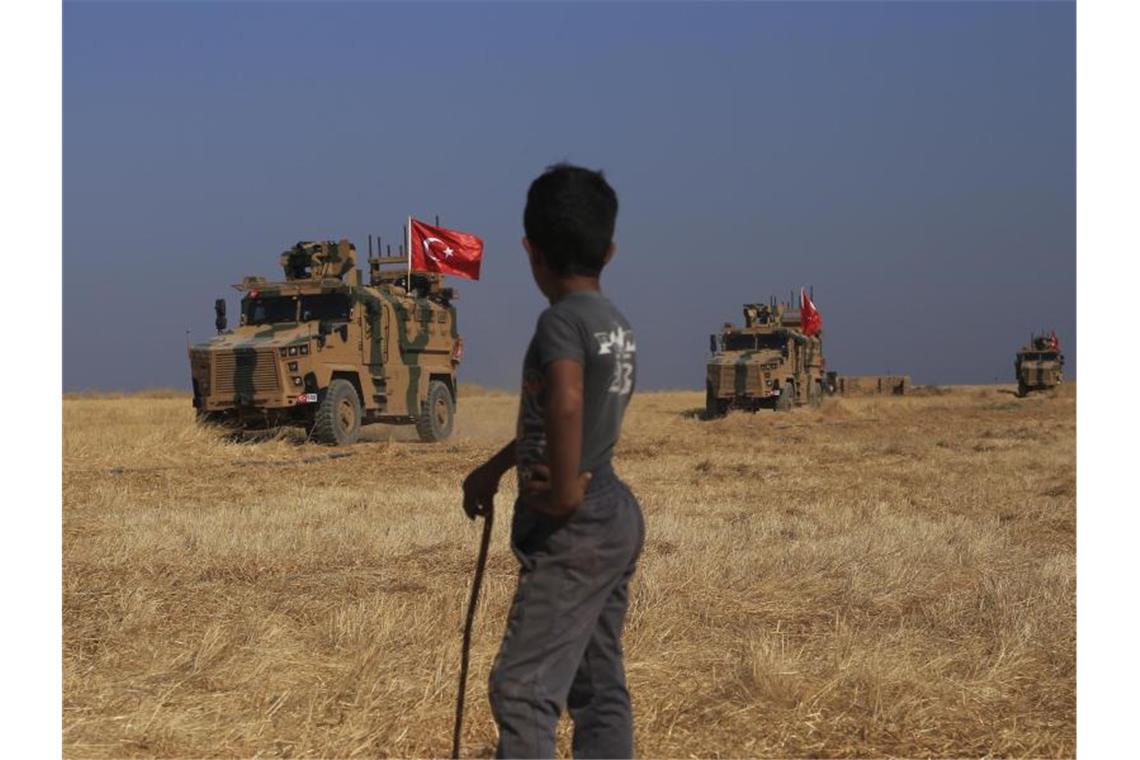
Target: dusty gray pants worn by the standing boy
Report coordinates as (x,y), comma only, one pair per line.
(563,648)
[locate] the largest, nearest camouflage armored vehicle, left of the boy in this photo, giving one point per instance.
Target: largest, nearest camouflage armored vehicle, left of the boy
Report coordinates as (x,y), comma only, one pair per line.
(323,352)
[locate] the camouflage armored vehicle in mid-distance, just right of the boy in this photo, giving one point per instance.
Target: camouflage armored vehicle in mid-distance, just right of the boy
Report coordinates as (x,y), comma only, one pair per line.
(768,364)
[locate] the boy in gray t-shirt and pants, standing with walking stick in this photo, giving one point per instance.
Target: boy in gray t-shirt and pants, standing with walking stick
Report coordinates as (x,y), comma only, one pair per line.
(577,530)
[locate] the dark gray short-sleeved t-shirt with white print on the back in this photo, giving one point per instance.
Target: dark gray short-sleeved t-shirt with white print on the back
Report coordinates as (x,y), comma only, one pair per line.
(588,329)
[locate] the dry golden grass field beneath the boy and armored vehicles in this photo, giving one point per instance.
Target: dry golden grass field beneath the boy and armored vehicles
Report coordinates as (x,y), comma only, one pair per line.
(877,577)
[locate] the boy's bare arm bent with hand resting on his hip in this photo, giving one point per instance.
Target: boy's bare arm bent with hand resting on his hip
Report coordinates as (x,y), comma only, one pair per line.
(567,486)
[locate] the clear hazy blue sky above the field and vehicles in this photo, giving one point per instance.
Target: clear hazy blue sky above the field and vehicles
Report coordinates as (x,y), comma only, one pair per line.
(915,162)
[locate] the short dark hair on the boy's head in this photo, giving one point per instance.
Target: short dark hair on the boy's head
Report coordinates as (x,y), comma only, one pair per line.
(569,218)
